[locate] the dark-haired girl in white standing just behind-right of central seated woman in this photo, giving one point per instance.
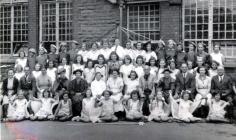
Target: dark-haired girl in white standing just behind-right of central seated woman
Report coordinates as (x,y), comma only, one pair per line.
(126,68)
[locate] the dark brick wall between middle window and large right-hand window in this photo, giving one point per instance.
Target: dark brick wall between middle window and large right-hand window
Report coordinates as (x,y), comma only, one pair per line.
(170,21)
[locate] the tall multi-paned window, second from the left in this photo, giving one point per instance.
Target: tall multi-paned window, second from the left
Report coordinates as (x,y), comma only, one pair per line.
(56,21)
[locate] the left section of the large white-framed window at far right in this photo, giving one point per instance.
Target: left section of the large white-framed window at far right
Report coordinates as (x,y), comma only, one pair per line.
(196,20)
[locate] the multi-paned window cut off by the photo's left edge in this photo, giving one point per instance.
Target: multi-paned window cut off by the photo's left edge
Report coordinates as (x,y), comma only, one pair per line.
(13,26)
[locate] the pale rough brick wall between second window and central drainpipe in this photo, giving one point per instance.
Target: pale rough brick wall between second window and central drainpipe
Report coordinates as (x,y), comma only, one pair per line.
(94,18)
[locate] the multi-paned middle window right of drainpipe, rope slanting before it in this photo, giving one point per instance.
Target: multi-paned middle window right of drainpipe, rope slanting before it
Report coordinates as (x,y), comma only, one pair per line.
(144,22)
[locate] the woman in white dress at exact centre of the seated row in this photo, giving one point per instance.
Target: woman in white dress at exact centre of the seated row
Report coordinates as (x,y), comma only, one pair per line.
(115,84)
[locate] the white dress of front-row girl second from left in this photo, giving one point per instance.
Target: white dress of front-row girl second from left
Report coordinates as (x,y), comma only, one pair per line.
(46,108)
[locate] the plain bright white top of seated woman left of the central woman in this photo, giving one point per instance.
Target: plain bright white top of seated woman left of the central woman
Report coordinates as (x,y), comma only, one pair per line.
(97,87)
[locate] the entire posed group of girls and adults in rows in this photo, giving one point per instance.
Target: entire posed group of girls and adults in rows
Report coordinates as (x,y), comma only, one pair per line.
(105,82)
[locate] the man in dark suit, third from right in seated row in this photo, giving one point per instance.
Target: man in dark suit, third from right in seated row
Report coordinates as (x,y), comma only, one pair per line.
(185,81)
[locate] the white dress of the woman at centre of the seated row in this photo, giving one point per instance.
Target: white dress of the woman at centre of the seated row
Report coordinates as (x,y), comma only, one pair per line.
(114,85)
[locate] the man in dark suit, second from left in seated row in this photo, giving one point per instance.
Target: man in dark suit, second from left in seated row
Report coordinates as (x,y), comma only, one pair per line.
(28,83)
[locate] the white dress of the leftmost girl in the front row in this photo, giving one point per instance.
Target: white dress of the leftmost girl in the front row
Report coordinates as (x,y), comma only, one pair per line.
(20,108)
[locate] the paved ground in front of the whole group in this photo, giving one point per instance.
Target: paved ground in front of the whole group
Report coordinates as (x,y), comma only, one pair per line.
(116,131)
